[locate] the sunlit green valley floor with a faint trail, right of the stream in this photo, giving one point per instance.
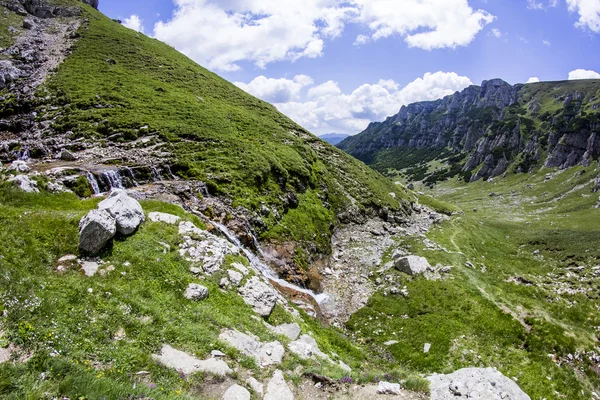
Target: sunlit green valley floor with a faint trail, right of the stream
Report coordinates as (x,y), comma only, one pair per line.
(476,318)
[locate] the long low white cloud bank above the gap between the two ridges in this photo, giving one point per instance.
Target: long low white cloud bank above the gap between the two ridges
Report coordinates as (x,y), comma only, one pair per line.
(326,108)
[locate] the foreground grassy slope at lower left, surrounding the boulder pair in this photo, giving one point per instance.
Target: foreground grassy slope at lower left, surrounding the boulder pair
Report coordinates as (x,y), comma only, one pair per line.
(69,320)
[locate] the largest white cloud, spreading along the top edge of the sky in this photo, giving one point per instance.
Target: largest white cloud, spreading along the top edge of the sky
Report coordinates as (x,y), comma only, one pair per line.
(222,34)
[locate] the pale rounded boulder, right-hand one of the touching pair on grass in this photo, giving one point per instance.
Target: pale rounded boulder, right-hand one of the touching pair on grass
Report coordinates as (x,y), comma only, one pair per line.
(125,210)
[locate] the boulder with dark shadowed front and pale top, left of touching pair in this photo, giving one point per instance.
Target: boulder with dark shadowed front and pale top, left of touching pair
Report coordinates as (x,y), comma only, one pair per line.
(96,229)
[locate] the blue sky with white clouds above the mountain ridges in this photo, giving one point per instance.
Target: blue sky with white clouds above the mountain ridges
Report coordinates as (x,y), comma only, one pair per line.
(334,66)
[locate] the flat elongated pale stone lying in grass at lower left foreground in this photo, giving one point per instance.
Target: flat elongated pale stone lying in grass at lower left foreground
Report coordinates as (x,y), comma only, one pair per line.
(187,364)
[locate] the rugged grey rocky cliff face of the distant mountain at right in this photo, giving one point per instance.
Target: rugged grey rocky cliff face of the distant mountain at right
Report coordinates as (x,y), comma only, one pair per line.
(493,127)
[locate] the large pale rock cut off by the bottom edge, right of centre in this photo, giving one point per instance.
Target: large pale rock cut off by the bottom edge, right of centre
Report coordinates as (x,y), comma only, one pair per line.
(476,384)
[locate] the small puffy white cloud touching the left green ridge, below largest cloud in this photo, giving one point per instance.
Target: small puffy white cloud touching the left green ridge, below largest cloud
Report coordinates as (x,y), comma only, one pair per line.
(276,90)
